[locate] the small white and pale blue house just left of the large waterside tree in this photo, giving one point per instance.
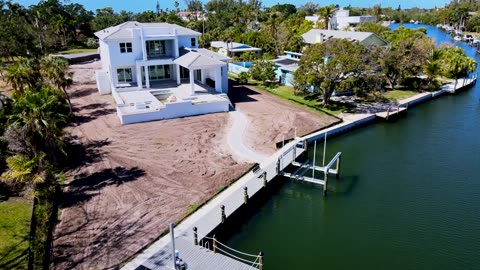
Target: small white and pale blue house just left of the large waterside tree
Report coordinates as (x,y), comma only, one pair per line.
(285,66)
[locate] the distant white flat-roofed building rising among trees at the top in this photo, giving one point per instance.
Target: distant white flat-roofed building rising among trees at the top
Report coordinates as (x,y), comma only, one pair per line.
(341,20)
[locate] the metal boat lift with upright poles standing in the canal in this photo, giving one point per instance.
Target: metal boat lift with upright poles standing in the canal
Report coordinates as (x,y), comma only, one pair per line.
(303,168)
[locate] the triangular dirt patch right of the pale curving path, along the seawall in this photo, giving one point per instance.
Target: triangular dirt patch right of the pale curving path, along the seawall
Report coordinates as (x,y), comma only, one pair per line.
(271,119)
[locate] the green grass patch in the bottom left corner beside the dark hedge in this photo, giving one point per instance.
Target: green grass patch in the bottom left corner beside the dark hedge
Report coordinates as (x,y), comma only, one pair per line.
(15,217)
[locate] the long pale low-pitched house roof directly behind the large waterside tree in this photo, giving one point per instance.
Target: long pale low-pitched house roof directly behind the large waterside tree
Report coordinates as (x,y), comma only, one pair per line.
(365,38)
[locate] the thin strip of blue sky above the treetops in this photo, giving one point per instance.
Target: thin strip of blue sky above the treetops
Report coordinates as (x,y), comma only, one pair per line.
(142,5)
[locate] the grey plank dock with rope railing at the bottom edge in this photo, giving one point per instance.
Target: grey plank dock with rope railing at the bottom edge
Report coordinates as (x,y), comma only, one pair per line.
(196,257)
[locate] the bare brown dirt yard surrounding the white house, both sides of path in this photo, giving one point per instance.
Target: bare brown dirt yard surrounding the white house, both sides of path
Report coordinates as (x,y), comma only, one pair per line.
(128,182)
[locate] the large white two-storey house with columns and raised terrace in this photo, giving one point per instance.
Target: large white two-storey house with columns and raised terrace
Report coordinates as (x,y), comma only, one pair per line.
(156,71)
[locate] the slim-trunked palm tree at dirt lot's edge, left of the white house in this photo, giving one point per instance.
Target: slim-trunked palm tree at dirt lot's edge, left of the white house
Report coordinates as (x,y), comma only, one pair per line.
(55,71)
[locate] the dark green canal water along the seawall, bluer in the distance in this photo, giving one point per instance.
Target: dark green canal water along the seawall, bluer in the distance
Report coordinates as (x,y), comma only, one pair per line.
(408,197)
